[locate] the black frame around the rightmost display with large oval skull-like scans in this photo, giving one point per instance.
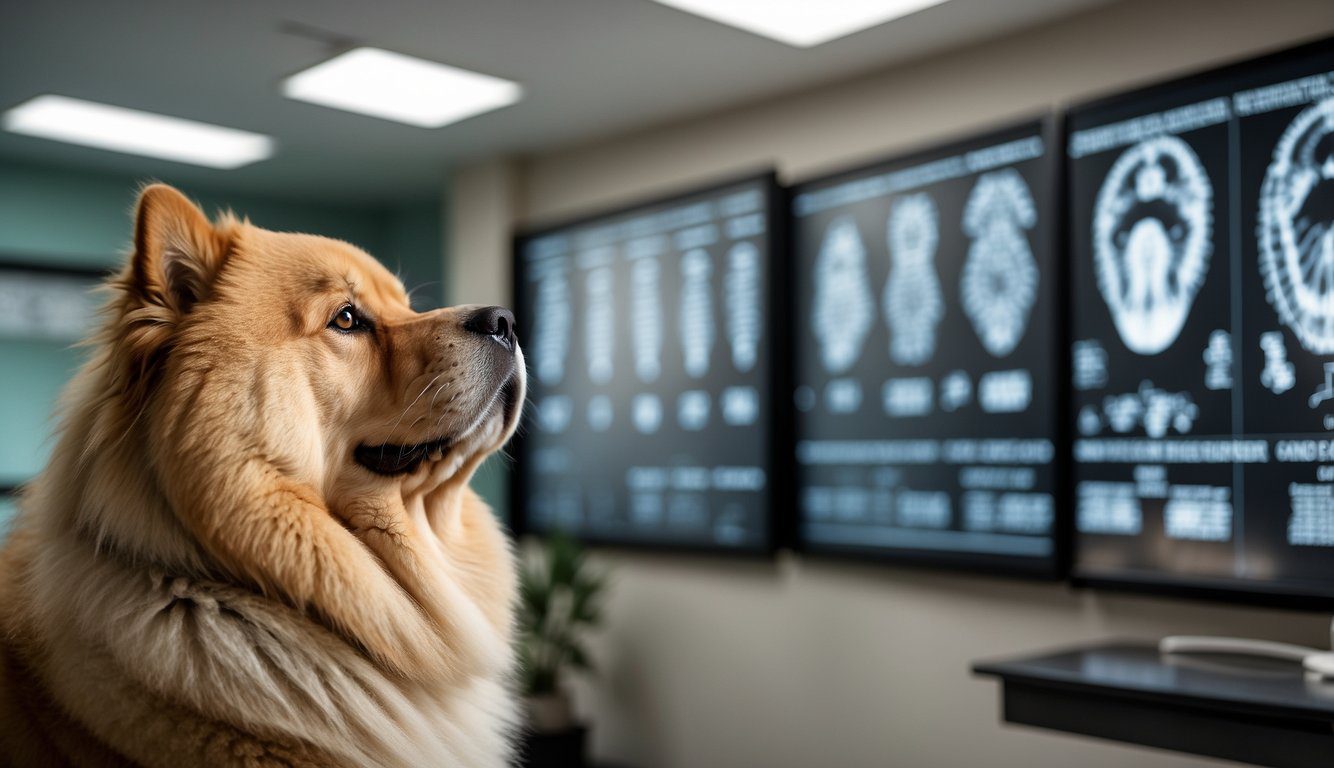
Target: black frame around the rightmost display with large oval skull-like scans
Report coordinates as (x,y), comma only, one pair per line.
(1256,594)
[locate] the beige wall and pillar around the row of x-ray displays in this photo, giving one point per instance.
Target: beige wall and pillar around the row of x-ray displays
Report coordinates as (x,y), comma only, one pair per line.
(801,663)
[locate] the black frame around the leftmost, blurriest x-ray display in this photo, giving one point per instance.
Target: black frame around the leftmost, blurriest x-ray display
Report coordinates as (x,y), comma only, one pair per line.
(777,325)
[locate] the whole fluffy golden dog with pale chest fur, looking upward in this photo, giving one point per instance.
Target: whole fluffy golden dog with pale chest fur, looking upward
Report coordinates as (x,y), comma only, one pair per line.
(255,543)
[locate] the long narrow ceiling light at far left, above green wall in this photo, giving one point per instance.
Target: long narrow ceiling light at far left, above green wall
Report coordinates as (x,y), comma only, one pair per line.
(119,130)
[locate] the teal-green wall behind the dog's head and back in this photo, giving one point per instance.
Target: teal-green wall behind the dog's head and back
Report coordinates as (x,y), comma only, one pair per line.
(77,219)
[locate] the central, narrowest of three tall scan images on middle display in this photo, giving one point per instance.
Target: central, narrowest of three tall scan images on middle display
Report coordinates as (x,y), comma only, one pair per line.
(913,301)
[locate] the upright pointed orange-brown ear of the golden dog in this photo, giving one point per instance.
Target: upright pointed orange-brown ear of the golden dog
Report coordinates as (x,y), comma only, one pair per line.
(178,253)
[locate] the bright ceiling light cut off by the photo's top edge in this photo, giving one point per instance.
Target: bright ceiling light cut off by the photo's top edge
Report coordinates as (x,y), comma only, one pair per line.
(802,23)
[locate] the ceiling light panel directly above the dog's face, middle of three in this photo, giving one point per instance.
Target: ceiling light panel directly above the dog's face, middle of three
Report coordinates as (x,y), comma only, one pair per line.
(401,89)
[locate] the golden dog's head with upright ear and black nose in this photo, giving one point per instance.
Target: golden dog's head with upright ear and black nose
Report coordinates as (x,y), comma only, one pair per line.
(349,389)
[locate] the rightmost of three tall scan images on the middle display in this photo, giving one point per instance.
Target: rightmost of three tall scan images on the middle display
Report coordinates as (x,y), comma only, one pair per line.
(1000,282)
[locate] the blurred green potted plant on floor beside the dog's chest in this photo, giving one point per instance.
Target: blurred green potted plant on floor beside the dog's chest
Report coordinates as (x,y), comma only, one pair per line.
(560,605)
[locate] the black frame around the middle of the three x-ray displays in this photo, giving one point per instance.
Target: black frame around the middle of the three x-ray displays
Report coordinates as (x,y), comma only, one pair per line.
(1053,567)
